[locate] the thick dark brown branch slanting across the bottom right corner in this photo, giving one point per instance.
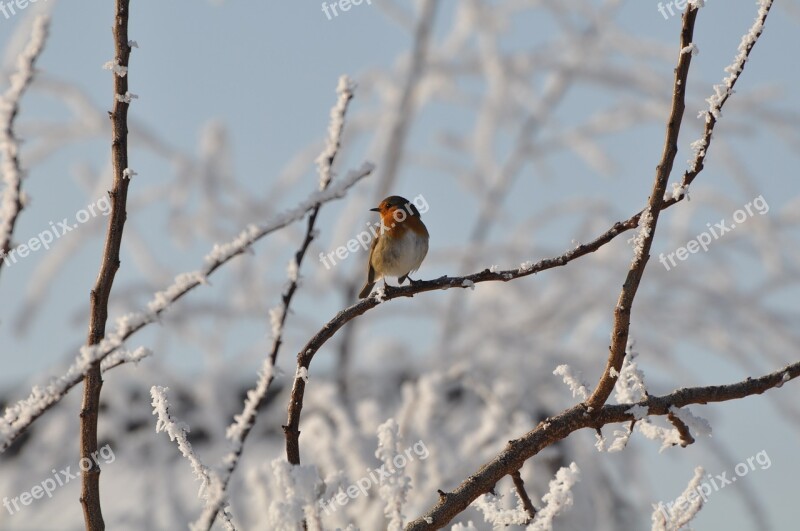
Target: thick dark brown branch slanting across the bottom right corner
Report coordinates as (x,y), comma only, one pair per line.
(576,418)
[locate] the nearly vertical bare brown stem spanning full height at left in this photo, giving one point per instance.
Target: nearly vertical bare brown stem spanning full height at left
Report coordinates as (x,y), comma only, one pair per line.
(93,380)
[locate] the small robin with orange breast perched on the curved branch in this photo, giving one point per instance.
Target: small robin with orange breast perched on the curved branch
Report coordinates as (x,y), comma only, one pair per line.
(400,246)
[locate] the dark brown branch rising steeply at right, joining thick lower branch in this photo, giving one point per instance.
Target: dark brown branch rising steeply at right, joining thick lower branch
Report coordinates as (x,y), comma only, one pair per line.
(648,222)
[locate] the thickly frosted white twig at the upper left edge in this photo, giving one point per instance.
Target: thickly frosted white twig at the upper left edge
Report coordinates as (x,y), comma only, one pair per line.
(13,201)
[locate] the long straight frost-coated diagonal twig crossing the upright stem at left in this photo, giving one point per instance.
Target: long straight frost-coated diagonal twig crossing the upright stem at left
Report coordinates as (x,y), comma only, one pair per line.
(19,416)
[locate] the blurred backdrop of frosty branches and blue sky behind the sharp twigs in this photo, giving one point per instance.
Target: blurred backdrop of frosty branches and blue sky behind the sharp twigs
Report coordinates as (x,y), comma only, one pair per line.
(528,126)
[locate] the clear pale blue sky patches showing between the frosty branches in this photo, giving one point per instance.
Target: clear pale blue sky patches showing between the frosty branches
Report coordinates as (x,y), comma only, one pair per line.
(268,71)
